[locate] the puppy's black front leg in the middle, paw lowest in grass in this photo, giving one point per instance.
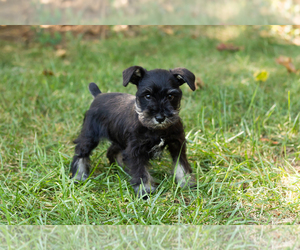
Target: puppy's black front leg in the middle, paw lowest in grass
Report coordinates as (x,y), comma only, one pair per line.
(141,181)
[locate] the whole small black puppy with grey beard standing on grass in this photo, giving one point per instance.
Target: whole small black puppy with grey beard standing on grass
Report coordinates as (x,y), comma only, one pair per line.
(138,127)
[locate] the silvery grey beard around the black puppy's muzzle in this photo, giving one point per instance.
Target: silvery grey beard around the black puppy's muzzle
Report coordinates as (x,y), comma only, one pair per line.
(151,122)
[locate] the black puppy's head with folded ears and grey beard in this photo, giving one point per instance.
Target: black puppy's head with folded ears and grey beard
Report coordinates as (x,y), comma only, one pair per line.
(158,94)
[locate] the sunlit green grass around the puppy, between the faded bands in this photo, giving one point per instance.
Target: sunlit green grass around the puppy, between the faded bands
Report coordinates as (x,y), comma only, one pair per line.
(243,136)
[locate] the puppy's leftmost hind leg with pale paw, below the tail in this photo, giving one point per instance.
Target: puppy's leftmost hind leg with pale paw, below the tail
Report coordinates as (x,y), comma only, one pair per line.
(85,143)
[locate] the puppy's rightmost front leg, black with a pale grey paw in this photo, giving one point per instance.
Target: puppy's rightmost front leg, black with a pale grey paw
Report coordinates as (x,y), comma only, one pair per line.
(182,168)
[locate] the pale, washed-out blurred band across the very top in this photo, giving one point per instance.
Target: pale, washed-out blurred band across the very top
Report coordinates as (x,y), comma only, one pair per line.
(149,12)
